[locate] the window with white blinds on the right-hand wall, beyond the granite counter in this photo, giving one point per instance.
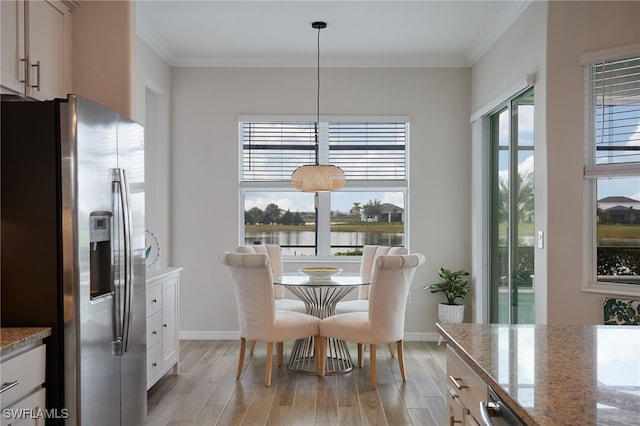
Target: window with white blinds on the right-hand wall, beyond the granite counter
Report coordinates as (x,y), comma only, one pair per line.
(612,168)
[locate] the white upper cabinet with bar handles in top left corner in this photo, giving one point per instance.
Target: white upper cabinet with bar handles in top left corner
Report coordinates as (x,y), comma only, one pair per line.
(36,40)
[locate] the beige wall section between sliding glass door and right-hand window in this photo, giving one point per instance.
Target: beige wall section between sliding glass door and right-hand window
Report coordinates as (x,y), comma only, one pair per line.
(574,28)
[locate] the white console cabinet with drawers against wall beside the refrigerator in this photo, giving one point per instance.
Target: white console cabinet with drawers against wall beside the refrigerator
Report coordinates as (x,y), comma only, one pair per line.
(163,344)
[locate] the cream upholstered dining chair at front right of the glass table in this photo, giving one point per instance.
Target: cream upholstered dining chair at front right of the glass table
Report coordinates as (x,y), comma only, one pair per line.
(384,321)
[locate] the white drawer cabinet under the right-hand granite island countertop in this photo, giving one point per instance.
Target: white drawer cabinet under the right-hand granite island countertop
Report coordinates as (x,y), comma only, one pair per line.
(465,391)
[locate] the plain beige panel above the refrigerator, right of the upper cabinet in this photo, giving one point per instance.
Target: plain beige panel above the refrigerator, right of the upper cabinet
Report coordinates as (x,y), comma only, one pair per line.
(102,58)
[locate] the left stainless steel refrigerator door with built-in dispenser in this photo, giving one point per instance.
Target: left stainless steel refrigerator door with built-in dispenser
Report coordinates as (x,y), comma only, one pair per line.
(93,145)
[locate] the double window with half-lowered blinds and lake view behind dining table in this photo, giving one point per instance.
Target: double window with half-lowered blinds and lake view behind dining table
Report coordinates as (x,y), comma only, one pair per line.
(370,209)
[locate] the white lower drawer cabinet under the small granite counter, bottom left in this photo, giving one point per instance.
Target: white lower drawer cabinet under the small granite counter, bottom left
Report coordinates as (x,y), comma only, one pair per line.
(22,396)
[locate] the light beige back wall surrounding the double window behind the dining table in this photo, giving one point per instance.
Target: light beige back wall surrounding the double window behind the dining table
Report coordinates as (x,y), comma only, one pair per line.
(205,219)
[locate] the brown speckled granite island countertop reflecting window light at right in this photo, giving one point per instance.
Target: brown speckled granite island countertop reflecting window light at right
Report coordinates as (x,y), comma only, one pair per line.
(556,374)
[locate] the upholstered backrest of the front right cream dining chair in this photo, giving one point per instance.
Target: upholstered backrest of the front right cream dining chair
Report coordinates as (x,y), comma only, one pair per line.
(388,296)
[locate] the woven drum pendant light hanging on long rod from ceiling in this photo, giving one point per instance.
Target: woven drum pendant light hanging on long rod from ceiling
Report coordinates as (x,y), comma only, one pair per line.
(317,177)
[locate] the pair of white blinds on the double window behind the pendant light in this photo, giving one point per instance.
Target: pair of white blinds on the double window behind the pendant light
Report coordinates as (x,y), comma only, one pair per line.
(376,151)
